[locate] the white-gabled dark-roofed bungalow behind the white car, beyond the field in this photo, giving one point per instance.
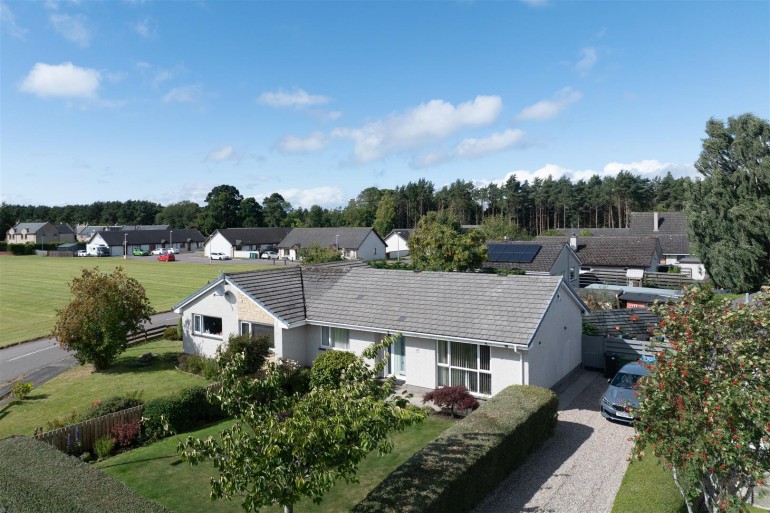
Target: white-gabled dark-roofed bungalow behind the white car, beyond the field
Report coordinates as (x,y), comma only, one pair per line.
(244,242)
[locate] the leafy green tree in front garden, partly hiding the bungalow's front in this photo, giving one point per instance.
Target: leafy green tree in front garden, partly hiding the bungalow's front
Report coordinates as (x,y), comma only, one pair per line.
(305,442)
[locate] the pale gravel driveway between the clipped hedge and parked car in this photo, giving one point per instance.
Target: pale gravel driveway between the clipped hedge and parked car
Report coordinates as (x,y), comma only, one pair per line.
(579,469)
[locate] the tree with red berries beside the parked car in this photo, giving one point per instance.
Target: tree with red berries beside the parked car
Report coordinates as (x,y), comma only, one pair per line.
(704,408)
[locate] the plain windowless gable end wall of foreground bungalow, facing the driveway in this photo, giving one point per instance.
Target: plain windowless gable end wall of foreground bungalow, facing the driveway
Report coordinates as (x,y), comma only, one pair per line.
(556,347)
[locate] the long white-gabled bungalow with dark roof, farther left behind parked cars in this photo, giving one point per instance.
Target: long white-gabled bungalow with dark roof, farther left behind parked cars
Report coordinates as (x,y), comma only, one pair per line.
(148,240)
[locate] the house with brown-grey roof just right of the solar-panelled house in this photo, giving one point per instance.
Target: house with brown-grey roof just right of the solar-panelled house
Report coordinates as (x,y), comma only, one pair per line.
(613,253)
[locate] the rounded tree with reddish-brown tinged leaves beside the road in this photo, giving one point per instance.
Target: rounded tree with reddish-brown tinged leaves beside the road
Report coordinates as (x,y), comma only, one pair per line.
(104,309)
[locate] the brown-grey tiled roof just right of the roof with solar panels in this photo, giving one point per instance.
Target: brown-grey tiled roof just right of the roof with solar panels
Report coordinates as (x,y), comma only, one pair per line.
(614,251)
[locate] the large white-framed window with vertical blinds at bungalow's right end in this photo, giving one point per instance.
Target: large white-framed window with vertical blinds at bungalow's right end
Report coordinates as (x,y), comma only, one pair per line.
(464,364)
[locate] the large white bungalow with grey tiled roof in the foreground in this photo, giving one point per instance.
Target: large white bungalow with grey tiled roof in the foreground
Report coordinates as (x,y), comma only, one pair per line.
(483,331)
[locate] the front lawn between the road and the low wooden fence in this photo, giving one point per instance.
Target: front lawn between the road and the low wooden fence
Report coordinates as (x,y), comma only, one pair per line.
(77,388)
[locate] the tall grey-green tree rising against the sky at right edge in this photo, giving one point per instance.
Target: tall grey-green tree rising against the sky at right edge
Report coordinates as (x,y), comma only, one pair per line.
(728,211)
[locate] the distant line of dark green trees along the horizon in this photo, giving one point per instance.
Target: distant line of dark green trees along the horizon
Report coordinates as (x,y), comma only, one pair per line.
(543,204)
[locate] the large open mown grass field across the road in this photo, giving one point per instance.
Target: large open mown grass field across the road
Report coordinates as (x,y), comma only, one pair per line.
(32,288)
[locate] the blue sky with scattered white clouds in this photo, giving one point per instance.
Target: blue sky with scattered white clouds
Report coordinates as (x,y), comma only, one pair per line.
(162,101)
